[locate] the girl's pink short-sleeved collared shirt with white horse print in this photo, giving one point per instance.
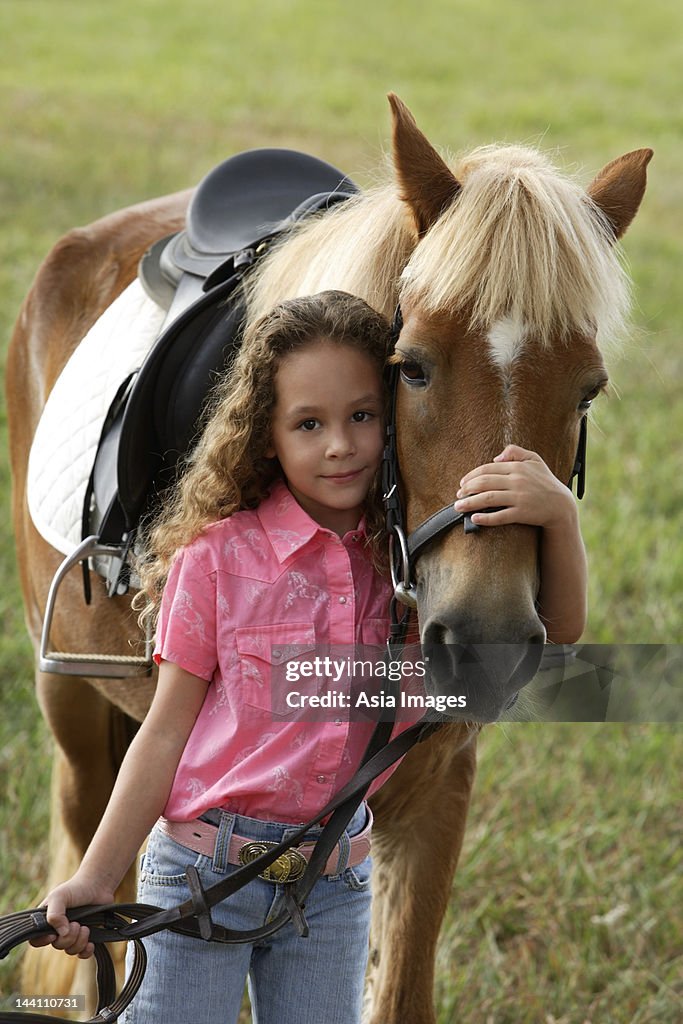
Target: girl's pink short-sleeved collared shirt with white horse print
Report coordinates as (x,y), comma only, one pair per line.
(250,583)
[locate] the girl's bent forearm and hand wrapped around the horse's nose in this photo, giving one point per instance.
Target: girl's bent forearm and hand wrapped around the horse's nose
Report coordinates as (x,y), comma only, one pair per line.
(521,481)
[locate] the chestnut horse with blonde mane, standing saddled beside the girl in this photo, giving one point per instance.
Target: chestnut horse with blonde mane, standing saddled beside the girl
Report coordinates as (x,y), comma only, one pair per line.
(508,279)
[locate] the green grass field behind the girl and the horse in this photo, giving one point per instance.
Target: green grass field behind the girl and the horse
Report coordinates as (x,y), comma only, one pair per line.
(568,906)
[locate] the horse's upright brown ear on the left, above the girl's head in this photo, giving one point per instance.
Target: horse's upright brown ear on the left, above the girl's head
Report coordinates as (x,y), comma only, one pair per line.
(425,181)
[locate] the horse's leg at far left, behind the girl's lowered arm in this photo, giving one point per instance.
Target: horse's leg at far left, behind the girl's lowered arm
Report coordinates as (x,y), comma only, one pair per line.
(92,737)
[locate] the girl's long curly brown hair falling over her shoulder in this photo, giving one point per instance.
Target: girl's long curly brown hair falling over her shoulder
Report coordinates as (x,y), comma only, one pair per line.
(229,468)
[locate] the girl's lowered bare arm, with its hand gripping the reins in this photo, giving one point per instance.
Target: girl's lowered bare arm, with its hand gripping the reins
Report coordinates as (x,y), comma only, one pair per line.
(139,798)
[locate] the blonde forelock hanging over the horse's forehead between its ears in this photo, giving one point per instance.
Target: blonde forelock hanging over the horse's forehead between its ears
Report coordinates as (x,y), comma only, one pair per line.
(522,241)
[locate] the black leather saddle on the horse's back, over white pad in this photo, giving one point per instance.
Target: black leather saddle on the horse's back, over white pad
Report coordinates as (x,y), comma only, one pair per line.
(237,210)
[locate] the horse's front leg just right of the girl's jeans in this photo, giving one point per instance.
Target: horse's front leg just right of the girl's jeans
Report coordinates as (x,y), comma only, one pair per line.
(421,816)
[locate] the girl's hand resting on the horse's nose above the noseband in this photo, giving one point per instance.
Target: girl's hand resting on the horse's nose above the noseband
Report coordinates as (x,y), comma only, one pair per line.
(520,482)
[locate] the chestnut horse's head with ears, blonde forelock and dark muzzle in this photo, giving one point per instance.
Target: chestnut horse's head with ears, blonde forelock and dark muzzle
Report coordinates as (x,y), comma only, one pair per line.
(514,286)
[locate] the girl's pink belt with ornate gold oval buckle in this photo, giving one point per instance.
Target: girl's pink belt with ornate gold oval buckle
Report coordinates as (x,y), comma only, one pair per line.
(201,837)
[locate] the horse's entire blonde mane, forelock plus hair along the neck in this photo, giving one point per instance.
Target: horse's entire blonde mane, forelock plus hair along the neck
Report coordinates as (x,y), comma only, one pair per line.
(521,241)
